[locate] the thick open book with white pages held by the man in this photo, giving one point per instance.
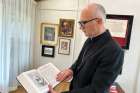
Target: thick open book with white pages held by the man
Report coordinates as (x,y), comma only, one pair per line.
(37,80)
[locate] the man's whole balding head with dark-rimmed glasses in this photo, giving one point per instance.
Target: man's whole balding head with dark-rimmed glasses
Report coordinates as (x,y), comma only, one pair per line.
(92,20)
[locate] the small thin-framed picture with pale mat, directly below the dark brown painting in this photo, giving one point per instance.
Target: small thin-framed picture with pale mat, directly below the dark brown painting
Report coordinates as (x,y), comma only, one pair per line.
(64,46)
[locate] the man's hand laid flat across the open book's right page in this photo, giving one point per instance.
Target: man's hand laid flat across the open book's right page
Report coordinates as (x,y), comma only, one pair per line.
(64,75)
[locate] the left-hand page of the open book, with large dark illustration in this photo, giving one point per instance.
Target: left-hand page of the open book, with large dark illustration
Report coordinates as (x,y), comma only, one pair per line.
(33,82)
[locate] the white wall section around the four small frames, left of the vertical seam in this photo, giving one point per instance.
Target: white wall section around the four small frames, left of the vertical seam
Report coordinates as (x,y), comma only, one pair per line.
(51,11)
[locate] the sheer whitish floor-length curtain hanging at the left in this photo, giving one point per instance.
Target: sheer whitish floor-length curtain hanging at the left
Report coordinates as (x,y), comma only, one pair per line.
(17,19)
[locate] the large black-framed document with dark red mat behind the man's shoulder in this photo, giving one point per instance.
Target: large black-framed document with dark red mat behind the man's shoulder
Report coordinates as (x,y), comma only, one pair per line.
(120,27)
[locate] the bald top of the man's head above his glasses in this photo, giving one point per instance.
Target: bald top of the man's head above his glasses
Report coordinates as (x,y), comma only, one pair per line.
(94,10)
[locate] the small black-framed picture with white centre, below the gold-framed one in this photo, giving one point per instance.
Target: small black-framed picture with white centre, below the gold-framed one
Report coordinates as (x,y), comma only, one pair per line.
(48,51)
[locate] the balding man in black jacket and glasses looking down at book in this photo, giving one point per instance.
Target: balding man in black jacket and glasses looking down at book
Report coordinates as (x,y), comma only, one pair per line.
(100,60)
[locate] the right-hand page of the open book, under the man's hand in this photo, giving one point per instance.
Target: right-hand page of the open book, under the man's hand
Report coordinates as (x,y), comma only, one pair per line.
(49,72)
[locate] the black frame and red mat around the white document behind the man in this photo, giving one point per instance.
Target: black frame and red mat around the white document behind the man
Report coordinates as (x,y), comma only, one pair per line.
(124,42)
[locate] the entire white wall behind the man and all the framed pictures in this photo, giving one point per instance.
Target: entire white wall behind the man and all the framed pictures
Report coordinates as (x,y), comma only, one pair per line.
(52,10)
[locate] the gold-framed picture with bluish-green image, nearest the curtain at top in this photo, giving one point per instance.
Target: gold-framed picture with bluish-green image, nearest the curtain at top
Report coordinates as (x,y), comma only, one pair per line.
(49,34)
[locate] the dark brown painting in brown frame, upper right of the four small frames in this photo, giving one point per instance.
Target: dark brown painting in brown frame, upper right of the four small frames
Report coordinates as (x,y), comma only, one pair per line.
(66,28)
